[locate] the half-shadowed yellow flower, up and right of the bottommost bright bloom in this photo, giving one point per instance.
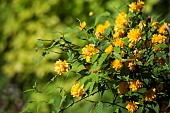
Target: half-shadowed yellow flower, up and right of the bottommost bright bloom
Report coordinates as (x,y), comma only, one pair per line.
(150,95)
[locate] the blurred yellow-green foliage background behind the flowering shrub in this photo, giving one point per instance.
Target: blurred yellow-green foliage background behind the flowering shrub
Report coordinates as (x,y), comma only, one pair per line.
(22,22)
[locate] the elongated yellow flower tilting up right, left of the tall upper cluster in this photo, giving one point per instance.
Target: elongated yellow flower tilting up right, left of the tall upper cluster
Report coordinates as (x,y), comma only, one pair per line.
(101,29)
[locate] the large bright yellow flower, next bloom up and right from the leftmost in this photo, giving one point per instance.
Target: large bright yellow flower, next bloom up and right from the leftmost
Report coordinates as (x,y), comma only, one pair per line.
(88,51)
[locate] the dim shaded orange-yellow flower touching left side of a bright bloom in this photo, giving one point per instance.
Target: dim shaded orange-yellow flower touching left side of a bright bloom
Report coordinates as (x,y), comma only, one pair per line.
(123,88)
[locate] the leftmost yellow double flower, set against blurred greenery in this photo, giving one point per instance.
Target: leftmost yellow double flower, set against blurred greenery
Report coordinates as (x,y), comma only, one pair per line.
(61,67)
